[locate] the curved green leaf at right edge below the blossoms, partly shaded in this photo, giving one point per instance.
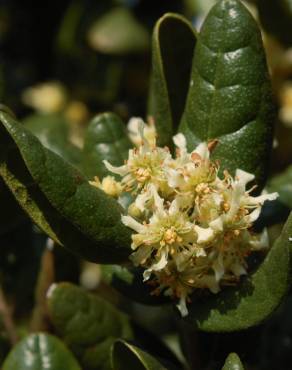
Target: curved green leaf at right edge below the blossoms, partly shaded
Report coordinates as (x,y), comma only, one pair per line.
(255,299)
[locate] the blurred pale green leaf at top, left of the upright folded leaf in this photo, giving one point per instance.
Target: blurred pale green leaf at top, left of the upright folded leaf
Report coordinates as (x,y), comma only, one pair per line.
(118,33)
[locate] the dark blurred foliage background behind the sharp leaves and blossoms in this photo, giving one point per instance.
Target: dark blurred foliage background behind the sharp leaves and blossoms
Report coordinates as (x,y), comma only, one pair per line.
(63,62)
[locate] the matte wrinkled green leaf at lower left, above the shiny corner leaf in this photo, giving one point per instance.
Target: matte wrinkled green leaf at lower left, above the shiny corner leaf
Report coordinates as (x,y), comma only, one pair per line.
(87,323)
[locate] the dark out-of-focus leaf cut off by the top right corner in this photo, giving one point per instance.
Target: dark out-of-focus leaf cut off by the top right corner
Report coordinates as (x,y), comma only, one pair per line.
(276,18)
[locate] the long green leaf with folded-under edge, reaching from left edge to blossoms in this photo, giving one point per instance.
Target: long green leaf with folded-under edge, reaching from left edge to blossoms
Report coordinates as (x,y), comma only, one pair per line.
(59,199)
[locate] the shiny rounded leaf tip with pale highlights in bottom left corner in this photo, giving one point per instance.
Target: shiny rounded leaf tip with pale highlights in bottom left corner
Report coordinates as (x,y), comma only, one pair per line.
(40,352)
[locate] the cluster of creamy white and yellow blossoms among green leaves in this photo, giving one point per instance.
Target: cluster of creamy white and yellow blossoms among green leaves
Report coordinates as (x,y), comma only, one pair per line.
(192,229)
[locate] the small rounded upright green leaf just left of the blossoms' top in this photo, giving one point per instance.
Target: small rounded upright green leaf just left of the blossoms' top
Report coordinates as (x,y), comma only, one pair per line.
(106,138)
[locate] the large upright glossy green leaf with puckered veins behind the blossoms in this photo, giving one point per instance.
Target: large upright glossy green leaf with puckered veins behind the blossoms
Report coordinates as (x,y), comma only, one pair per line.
(230,94)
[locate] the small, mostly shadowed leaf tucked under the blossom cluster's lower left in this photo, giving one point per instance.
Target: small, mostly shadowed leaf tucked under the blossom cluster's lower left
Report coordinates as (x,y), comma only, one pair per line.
(129,282)
